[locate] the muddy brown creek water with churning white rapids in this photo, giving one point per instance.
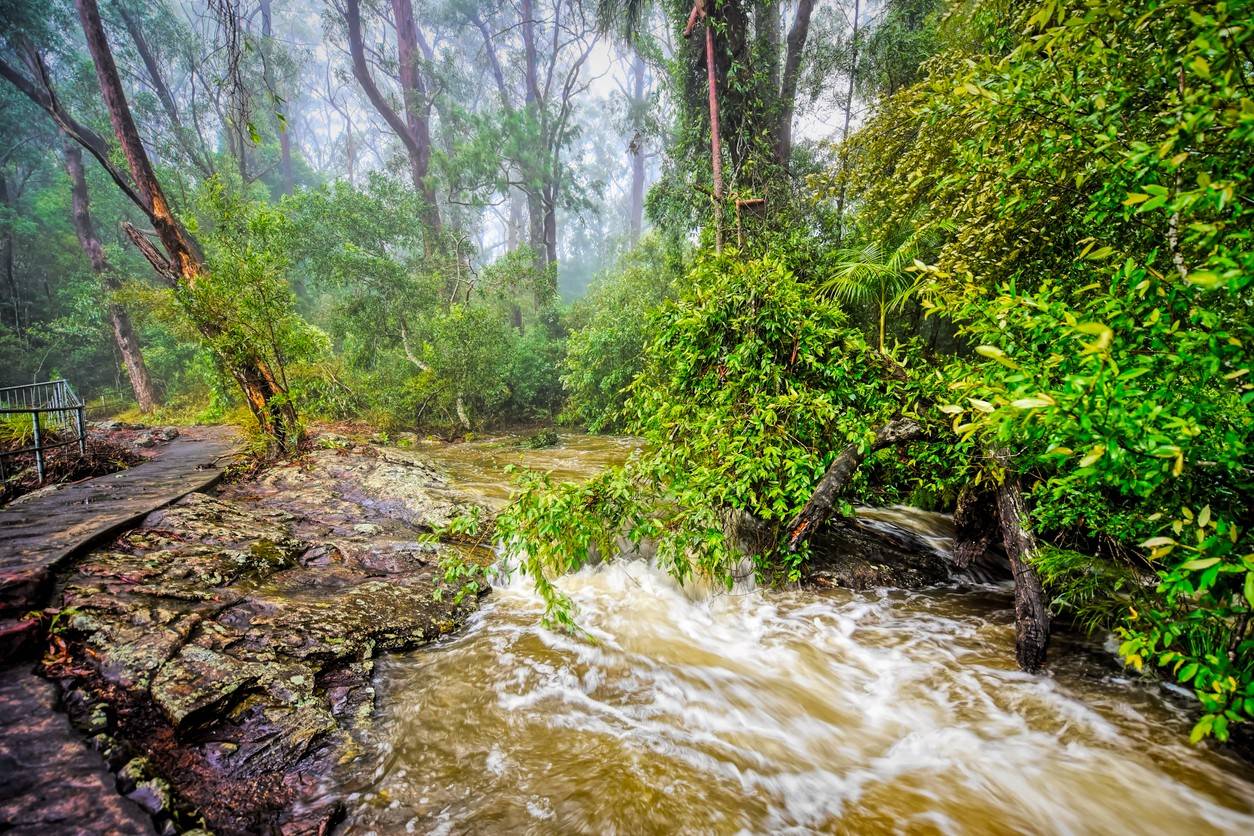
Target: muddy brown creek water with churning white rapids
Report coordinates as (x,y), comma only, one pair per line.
(693,711)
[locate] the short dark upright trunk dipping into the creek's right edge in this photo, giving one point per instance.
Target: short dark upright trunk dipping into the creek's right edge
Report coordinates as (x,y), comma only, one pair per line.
(1031,611)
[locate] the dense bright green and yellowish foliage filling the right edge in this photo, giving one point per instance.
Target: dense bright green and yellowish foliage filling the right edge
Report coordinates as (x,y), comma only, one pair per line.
(1094,162)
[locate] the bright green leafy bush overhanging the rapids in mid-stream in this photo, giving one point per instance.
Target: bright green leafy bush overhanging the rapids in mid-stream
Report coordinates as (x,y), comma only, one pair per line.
(751,384)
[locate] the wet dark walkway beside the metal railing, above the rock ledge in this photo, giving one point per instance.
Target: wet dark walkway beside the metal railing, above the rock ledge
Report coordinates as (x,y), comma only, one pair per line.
(37,536)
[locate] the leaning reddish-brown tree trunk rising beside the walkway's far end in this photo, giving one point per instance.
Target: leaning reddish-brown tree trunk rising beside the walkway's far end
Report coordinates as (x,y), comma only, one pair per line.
(182,261)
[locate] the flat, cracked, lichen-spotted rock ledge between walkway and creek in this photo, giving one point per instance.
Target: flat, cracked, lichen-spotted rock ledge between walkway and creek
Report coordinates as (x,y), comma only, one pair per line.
(220,656)
